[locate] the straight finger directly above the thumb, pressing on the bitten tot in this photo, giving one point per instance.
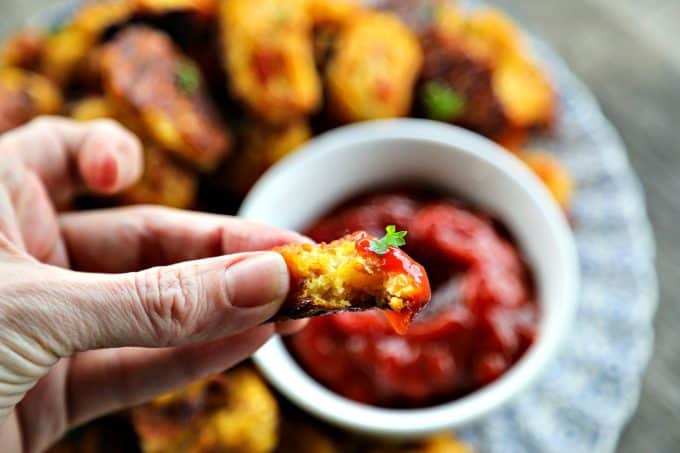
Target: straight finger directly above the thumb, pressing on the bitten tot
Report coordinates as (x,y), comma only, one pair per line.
(134,238)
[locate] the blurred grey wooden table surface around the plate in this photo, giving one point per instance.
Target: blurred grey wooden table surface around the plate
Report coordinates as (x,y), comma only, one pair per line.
(627,52)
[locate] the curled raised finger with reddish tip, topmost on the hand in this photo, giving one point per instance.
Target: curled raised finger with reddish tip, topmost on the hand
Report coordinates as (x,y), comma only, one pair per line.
(66,154)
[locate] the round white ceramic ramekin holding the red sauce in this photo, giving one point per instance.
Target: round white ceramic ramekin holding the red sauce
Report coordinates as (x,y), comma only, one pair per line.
(356,158)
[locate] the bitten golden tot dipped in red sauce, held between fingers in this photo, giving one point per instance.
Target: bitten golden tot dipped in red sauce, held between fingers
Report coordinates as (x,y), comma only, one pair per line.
(348,275)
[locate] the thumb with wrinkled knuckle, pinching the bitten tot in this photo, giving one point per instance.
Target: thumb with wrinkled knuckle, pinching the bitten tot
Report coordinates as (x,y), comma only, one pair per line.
(187,303)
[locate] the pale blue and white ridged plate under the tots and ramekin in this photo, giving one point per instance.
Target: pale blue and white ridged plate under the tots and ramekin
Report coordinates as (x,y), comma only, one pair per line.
(587,395)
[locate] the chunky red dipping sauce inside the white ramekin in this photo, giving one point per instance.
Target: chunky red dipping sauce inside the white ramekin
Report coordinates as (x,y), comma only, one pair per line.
(481,320)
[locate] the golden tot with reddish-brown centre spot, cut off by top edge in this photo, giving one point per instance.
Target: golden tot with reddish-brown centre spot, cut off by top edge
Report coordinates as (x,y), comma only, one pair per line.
(268,54)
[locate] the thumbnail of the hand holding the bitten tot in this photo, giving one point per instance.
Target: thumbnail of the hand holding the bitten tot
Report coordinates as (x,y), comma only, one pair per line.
(260,279)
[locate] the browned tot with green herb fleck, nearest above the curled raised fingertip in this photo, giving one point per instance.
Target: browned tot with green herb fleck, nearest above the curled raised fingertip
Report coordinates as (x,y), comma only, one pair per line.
(148,78)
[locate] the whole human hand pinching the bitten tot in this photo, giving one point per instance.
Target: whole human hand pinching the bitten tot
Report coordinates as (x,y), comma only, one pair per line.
(113,332)
